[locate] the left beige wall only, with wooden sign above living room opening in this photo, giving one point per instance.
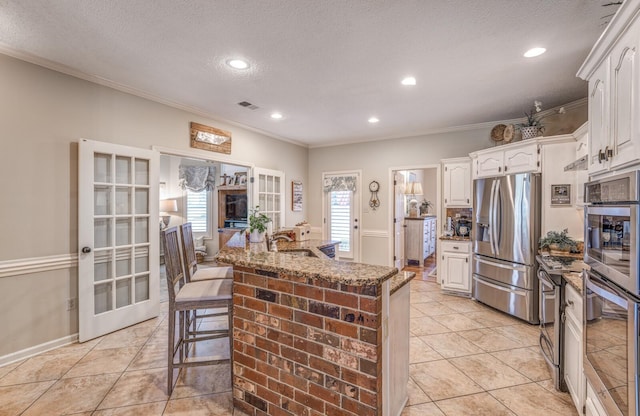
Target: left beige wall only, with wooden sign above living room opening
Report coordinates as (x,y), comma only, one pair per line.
(43,114)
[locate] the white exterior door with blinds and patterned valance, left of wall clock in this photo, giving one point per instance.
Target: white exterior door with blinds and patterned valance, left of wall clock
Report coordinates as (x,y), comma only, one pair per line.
(341,212)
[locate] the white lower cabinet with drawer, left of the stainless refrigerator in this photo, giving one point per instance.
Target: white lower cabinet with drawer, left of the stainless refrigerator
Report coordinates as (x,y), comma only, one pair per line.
(453,269)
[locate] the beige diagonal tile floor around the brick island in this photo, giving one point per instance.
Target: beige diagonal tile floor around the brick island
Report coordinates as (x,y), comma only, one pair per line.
(465,360)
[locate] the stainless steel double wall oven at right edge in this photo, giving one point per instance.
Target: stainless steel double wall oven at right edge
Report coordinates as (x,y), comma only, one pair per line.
(612,290)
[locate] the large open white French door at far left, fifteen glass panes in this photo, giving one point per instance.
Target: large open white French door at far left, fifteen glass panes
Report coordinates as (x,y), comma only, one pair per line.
(118,234)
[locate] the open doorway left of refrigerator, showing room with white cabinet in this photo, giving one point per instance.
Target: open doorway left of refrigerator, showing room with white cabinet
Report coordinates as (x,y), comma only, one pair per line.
(415,218)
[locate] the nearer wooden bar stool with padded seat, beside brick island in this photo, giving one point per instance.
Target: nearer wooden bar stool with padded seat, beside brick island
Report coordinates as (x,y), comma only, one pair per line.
(185,298)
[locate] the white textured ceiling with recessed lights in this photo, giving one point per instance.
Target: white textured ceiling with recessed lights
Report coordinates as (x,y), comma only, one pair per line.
(327,65)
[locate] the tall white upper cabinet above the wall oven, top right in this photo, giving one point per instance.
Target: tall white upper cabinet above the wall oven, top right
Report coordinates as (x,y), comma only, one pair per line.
(614,89)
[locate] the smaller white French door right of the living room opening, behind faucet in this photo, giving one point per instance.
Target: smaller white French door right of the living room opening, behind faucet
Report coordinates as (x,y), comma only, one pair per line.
(269,194)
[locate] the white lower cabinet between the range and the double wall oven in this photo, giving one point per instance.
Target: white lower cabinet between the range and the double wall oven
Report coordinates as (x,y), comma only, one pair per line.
(573,374)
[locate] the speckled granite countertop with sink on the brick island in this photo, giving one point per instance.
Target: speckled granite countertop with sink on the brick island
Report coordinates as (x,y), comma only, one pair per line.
(321,268)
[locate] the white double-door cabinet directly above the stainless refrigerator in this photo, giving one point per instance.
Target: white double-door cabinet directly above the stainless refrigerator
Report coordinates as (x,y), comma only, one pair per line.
(517,157)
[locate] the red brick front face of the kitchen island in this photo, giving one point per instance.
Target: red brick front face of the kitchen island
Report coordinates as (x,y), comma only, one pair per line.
(305,348)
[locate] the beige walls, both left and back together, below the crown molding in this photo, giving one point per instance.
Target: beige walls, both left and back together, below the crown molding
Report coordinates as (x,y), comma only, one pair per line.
(43,114)
